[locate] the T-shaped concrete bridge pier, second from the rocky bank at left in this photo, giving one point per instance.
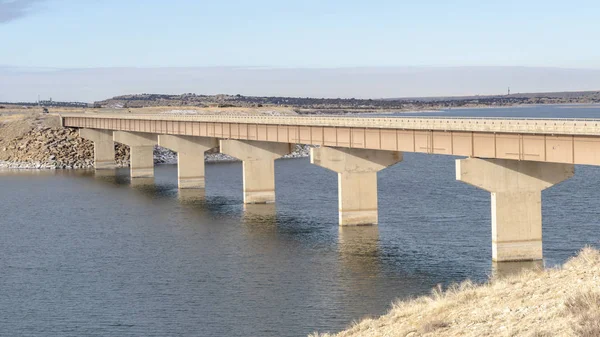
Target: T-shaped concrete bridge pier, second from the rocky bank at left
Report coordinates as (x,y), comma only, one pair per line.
(141,146)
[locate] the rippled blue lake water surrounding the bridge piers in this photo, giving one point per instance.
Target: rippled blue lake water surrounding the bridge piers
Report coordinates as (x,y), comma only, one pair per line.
(87,255)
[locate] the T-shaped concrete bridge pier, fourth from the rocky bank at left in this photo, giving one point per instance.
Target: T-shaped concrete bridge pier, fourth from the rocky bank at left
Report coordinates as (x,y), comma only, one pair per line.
(258,165)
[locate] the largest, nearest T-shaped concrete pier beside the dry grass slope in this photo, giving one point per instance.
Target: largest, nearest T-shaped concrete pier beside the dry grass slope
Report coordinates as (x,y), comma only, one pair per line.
(516,188)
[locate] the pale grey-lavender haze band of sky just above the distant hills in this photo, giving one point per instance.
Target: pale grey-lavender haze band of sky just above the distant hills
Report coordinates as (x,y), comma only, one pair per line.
(24,84)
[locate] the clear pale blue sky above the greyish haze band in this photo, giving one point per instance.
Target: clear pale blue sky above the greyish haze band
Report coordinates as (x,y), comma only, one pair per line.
(54,36)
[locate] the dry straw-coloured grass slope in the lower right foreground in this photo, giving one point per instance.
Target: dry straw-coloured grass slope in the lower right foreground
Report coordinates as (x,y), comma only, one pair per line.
(555,302)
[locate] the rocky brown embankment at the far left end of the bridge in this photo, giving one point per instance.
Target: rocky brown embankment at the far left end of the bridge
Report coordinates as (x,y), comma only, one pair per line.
(45,147)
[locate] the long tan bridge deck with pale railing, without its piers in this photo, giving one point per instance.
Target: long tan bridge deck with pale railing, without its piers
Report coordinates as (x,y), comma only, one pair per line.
(575,141)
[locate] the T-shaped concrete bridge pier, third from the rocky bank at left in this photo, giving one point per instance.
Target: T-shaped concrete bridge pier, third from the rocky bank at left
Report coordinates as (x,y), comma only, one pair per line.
(190,157)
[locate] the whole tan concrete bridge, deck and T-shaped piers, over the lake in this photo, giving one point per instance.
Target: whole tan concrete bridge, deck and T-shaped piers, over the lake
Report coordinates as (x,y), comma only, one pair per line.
(513,159)
